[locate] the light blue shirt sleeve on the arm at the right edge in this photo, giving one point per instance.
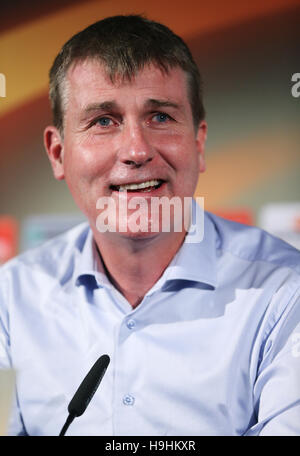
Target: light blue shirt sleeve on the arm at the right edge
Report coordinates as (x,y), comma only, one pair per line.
(277,386)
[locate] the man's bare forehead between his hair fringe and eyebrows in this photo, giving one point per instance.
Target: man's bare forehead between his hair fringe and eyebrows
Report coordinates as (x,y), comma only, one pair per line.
(89,81)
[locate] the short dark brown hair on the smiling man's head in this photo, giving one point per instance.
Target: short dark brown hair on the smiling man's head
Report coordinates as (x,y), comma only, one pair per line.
(125,44)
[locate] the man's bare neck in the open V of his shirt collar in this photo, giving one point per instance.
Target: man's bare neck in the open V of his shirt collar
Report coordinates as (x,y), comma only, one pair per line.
(134,265)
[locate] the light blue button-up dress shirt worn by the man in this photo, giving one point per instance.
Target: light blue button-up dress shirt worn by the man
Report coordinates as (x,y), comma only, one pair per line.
(212,349)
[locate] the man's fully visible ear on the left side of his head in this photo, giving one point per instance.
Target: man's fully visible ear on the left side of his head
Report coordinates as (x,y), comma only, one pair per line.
(55,151)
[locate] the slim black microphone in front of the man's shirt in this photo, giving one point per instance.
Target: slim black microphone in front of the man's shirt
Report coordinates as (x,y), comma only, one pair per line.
(86,391)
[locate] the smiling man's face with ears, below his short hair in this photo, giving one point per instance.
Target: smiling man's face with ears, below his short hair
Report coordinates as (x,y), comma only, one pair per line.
(125,133)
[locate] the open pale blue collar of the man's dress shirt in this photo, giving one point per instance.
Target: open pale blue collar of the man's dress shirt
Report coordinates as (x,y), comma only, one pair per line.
(195,261)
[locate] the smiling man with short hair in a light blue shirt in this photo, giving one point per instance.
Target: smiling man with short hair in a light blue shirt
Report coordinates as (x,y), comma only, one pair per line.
(203,336)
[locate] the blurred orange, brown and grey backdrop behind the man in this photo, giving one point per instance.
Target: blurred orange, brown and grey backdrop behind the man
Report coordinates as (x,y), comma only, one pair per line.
(247,54)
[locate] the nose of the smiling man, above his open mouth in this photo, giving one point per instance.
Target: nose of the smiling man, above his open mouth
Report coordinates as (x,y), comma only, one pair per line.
(135,149)
